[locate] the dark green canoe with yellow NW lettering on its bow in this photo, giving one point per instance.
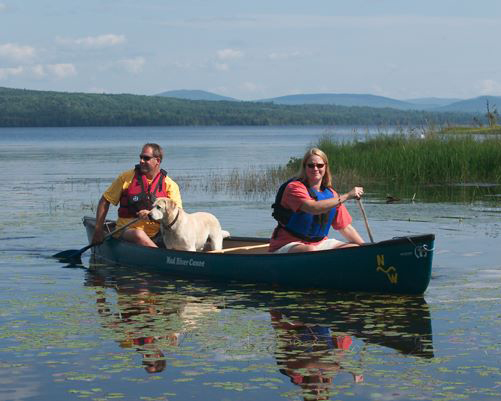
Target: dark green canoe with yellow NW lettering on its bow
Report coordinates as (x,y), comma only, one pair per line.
(399,265)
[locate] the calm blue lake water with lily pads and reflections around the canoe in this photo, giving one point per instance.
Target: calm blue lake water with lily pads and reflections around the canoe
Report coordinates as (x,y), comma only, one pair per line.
(70,333)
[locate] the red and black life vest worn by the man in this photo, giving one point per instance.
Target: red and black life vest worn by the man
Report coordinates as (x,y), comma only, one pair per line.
(139,195)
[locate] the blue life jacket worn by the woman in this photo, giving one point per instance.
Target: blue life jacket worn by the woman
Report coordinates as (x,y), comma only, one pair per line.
(306,226)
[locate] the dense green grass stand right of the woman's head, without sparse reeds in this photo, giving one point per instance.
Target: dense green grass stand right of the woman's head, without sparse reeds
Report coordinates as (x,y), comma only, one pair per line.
(408,159)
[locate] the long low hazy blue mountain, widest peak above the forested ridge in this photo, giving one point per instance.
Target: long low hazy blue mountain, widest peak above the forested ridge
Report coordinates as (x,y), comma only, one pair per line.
(343,99)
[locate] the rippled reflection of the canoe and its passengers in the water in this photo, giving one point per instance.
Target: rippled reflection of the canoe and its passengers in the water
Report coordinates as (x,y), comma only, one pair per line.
(316,334)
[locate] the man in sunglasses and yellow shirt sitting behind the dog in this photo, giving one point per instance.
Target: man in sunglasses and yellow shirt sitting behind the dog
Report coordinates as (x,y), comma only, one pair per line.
(135,191)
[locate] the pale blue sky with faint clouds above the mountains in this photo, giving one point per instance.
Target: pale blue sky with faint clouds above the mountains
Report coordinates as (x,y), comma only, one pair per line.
(255,49)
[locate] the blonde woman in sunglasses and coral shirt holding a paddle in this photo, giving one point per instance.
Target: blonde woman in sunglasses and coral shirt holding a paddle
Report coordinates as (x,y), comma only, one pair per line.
(307,206)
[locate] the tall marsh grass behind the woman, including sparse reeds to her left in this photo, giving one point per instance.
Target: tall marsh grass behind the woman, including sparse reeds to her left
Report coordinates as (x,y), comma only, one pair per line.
(413,164)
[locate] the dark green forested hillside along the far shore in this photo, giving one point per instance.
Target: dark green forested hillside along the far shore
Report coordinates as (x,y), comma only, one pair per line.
(28,108)
